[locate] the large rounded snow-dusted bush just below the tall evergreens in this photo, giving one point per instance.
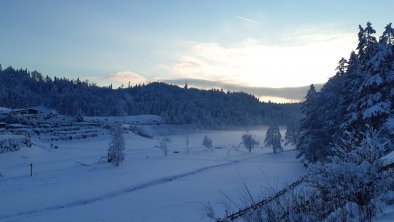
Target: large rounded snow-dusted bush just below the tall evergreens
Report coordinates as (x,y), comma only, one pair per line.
(354,177)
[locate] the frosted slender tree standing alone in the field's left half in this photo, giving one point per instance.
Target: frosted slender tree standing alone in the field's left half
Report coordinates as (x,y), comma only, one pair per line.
(116,146)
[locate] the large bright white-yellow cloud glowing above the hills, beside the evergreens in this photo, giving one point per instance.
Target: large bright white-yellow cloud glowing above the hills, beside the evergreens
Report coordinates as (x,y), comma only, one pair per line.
(252,62)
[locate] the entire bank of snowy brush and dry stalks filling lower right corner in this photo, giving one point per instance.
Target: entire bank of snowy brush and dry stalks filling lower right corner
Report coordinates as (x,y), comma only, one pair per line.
(351,186)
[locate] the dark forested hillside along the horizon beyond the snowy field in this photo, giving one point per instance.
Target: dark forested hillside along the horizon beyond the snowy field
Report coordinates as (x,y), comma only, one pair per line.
(21,88)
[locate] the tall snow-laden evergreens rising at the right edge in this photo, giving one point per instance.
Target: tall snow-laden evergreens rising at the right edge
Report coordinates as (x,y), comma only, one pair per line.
(359,97)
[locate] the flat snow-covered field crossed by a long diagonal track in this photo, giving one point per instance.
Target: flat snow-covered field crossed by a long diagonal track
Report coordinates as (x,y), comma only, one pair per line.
(69,183)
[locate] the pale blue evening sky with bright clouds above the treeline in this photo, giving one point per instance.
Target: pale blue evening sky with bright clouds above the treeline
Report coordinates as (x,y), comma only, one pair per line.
(244,44)
